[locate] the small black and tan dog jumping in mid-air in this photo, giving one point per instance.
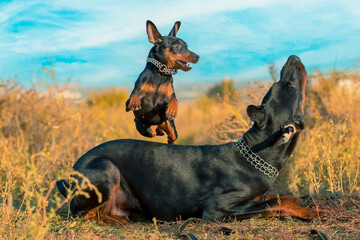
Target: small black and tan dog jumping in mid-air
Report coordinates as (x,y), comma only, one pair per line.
(153,99)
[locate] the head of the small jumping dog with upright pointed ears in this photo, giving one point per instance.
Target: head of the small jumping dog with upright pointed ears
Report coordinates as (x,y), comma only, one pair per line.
(170,50)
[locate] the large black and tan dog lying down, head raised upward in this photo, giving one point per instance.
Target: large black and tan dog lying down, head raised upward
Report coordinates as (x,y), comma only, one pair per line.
(210,181)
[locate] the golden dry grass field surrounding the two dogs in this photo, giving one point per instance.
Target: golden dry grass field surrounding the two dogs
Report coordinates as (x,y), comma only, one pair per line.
(42,134)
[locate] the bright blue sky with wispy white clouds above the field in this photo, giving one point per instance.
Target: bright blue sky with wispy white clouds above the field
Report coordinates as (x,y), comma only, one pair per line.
(104,43)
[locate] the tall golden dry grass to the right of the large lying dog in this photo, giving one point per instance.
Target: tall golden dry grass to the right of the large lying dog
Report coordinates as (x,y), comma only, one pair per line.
(327,158)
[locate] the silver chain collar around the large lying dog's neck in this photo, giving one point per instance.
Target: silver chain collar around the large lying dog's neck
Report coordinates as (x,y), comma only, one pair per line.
(259,163)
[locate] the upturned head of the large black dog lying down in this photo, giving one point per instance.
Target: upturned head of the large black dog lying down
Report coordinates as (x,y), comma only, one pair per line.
(280,114)
